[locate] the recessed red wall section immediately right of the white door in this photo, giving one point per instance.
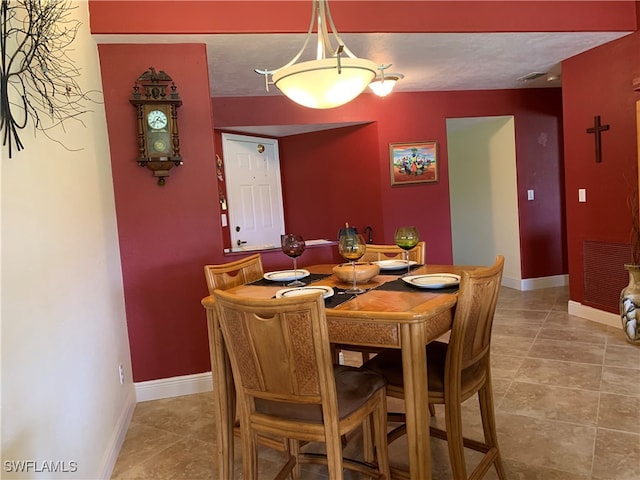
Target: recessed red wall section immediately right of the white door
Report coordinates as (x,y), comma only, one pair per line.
(331,177)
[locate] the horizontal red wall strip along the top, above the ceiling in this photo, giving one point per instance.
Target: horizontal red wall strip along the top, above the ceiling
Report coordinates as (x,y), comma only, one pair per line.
(276,16)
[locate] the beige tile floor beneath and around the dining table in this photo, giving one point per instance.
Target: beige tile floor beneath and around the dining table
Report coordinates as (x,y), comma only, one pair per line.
(567,394)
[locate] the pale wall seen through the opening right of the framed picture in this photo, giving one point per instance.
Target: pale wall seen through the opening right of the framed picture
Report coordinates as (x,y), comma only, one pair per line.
(483,191)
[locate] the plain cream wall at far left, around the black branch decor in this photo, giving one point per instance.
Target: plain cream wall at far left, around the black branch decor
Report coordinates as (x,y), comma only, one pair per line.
(63,320)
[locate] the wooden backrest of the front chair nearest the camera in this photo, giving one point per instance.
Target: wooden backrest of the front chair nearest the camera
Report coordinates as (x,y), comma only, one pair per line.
(278,347)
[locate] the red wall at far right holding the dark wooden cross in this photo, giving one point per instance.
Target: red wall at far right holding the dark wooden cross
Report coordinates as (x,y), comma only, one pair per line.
(599,82)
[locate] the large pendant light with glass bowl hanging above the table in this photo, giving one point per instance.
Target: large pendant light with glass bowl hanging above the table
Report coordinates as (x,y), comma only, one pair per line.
(334,78)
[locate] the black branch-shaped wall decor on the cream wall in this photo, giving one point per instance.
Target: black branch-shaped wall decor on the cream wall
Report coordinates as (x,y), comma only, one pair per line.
(38,84)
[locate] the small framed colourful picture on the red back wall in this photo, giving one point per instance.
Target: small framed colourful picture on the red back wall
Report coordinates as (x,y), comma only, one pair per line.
(415,162)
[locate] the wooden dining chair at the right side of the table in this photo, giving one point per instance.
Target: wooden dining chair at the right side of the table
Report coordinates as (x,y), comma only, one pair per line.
(458,370)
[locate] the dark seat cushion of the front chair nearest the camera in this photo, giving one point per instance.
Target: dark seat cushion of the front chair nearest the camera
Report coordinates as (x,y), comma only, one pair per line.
(354,387)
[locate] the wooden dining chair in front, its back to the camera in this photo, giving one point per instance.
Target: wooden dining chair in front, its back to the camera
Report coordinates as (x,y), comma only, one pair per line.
(287,385)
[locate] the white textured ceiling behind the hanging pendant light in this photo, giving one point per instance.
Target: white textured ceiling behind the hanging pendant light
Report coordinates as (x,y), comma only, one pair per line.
(428,61)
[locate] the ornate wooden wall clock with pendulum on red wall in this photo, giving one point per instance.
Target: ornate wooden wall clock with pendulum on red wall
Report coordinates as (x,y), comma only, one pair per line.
(156,100)
